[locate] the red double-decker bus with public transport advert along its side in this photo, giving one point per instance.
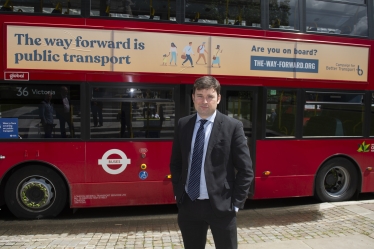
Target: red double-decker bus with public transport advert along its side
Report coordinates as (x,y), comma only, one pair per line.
(91,92)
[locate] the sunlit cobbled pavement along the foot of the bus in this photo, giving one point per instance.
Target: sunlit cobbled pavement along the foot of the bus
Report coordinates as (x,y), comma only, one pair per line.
(345,225)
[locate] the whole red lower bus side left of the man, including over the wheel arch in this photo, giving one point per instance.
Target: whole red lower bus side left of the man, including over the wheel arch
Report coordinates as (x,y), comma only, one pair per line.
(89,184)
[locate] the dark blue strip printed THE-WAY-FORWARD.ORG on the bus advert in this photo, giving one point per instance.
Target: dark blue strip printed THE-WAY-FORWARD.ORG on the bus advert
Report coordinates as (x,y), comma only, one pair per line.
(266,63)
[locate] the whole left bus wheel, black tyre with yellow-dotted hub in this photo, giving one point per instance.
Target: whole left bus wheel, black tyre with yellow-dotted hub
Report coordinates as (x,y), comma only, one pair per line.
(35,192)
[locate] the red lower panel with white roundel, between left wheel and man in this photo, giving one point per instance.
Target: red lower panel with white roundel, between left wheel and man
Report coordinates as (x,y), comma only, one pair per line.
(126,188)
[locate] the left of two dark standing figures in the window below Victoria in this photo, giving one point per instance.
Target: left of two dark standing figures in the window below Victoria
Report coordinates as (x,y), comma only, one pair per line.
(46,115)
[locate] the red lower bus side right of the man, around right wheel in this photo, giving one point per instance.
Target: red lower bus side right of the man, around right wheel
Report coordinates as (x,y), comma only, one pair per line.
(293,165)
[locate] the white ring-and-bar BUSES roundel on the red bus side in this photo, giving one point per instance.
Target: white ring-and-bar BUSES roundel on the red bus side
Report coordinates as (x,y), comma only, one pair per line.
(123,161)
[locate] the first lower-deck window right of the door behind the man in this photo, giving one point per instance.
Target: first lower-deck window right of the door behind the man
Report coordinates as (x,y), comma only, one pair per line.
(280,113)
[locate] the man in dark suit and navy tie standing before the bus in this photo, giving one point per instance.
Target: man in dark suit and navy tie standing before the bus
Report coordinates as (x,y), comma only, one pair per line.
(211,170)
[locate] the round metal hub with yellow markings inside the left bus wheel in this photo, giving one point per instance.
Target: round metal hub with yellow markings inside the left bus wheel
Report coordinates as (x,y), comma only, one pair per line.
(36,193)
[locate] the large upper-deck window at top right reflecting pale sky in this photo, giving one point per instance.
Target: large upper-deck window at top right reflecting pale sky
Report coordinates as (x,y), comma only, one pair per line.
(336,17)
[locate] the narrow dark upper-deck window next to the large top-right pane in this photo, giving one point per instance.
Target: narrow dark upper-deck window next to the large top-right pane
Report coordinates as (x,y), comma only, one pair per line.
(284,14)
